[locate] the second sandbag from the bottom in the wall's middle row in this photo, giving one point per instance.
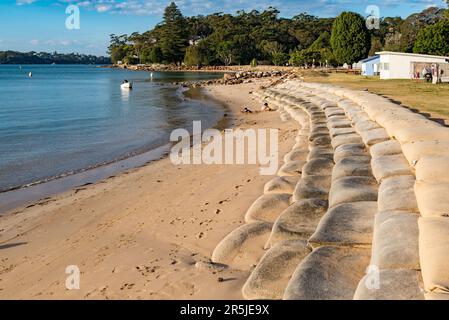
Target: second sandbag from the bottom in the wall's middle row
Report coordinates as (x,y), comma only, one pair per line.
(346,224)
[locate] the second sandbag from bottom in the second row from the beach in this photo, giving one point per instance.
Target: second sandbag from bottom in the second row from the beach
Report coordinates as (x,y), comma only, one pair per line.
(298,221)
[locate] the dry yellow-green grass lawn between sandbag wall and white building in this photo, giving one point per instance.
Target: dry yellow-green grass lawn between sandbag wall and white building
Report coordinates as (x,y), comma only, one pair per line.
(425,97)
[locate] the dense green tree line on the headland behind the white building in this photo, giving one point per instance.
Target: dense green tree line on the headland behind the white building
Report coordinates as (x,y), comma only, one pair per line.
(264,37)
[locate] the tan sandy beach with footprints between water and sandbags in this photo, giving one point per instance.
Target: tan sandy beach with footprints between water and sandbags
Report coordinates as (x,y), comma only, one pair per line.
(141,234)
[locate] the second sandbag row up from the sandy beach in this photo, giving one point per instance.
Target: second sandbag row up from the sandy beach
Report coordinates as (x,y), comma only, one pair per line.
(287,244)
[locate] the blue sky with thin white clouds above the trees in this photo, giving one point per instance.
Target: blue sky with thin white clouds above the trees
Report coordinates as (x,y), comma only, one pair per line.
(40,25)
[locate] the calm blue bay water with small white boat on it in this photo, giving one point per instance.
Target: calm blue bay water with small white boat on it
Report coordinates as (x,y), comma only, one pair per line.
(68,118)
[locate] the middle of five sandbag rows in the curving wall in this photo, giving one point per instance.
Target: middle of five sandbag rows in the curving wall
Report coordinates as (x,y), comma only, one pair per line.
(341,243)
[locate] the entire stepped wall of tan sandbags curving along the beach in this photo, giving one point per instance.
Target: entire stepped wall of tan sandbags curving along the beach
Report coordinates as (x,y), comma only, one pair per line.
(359,209)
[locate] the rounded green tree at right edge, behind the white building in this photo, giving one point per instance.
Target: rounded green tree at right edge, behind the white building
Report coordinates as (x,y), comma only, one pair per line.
(433,39)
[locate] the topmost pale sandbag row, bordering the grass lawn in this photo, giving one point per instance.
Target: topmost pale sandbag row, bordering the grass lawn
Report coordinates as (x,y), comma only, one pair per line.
(424,145)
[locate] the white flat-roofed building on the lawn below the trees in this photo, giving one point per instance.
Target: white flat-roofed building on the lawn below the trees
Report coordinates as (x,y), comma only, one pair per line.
(401,65)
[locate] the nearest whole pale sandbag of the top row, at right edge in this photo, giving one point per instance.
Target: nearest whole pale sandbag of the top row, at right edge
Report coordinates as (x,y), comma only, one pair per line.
(433,251)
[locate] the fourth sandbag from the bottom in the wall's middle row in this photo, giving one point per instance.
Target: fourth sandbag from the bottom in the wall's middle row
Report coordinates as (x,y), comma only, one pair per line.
(352,166)
